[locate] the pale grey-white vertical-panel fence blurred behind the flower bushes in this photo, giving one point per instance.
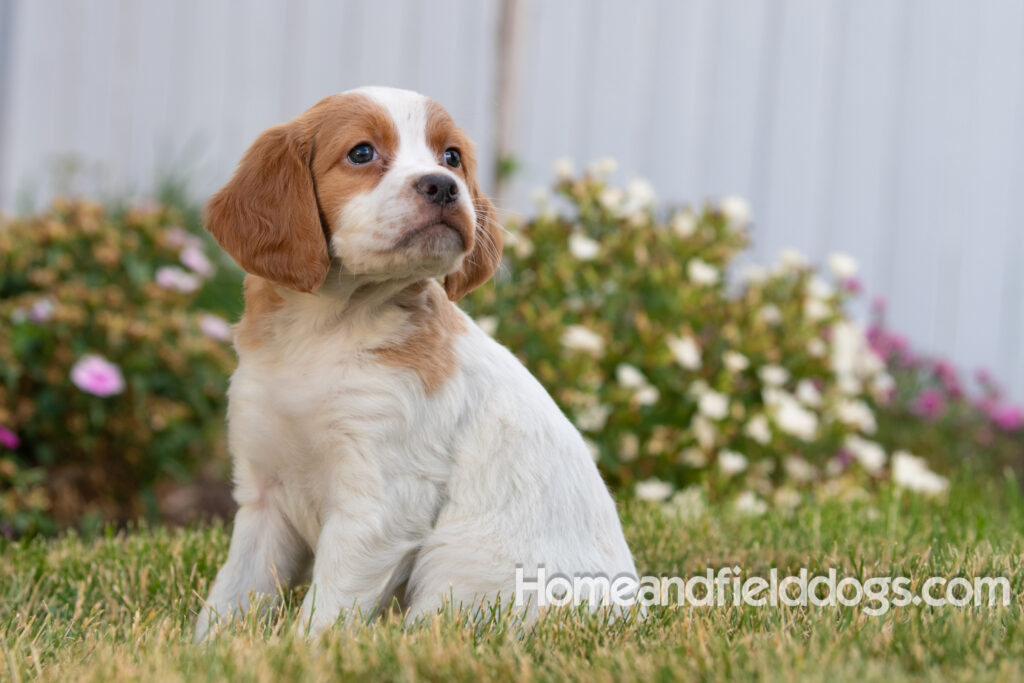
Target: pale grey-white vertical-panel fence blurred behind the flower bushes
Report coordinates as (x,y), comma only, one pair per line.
(890,130)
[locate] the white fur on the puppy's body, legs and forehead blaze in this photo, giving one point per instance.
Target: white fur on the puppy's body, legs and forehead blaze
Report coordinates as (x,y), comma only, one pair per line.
(352,464)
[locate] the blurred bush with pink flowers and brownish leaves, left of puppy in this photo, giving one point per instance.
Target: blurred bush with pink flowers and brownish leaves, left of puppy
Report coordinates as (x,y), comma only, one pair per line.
(109,382)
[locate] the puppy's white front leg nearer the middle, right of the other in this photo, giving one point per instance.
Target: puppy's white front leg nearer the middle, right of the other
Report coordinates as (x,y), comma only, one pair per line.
(356,564)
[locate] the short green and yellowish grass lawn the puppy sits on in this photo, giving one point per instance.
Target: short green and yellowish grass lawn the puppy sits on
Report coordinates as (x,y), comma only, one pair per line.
(123,607)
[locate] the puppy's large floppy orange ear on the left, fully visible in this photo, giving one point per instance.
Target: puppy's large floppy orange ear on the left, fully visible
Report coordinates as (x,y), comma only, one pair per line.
(267,217)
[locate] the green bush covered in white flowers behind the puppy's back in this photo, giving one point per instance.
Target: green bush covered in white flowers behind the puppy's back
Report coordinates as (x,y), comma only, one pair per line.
(756,387)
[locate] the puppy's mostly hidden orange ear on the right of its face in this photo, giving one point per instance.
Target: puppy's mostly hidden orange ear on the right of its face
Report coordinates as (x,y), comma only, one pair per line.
(483,261)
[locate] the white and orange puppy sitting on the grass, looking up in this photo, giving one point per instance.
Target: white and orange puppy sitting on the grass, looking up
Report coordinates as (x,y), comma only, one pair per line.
(377,434)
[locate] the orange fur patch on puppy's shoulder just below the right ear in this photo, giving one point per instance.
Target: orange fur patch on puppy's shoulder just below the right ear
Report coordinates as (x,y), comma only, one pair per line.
(429,347)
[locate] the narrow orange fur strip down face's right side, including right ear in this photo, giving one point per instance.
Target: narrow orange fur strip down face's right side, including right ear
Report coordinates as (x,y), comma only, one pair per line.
(486,250)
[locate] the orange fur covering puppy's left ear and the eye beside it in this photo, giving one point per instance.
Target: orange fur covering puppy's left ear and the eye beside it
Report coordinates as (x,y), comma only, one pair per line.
(270,217)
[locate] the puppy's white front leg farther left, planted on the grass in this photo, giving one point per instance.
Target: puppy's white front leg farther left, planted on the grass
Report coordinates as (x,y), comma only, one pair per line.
(266,552)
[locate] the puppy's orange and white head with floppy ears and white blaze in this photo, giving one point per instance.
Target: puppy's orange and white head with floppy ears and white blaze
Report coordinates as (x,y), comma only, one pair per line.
(380,180)
